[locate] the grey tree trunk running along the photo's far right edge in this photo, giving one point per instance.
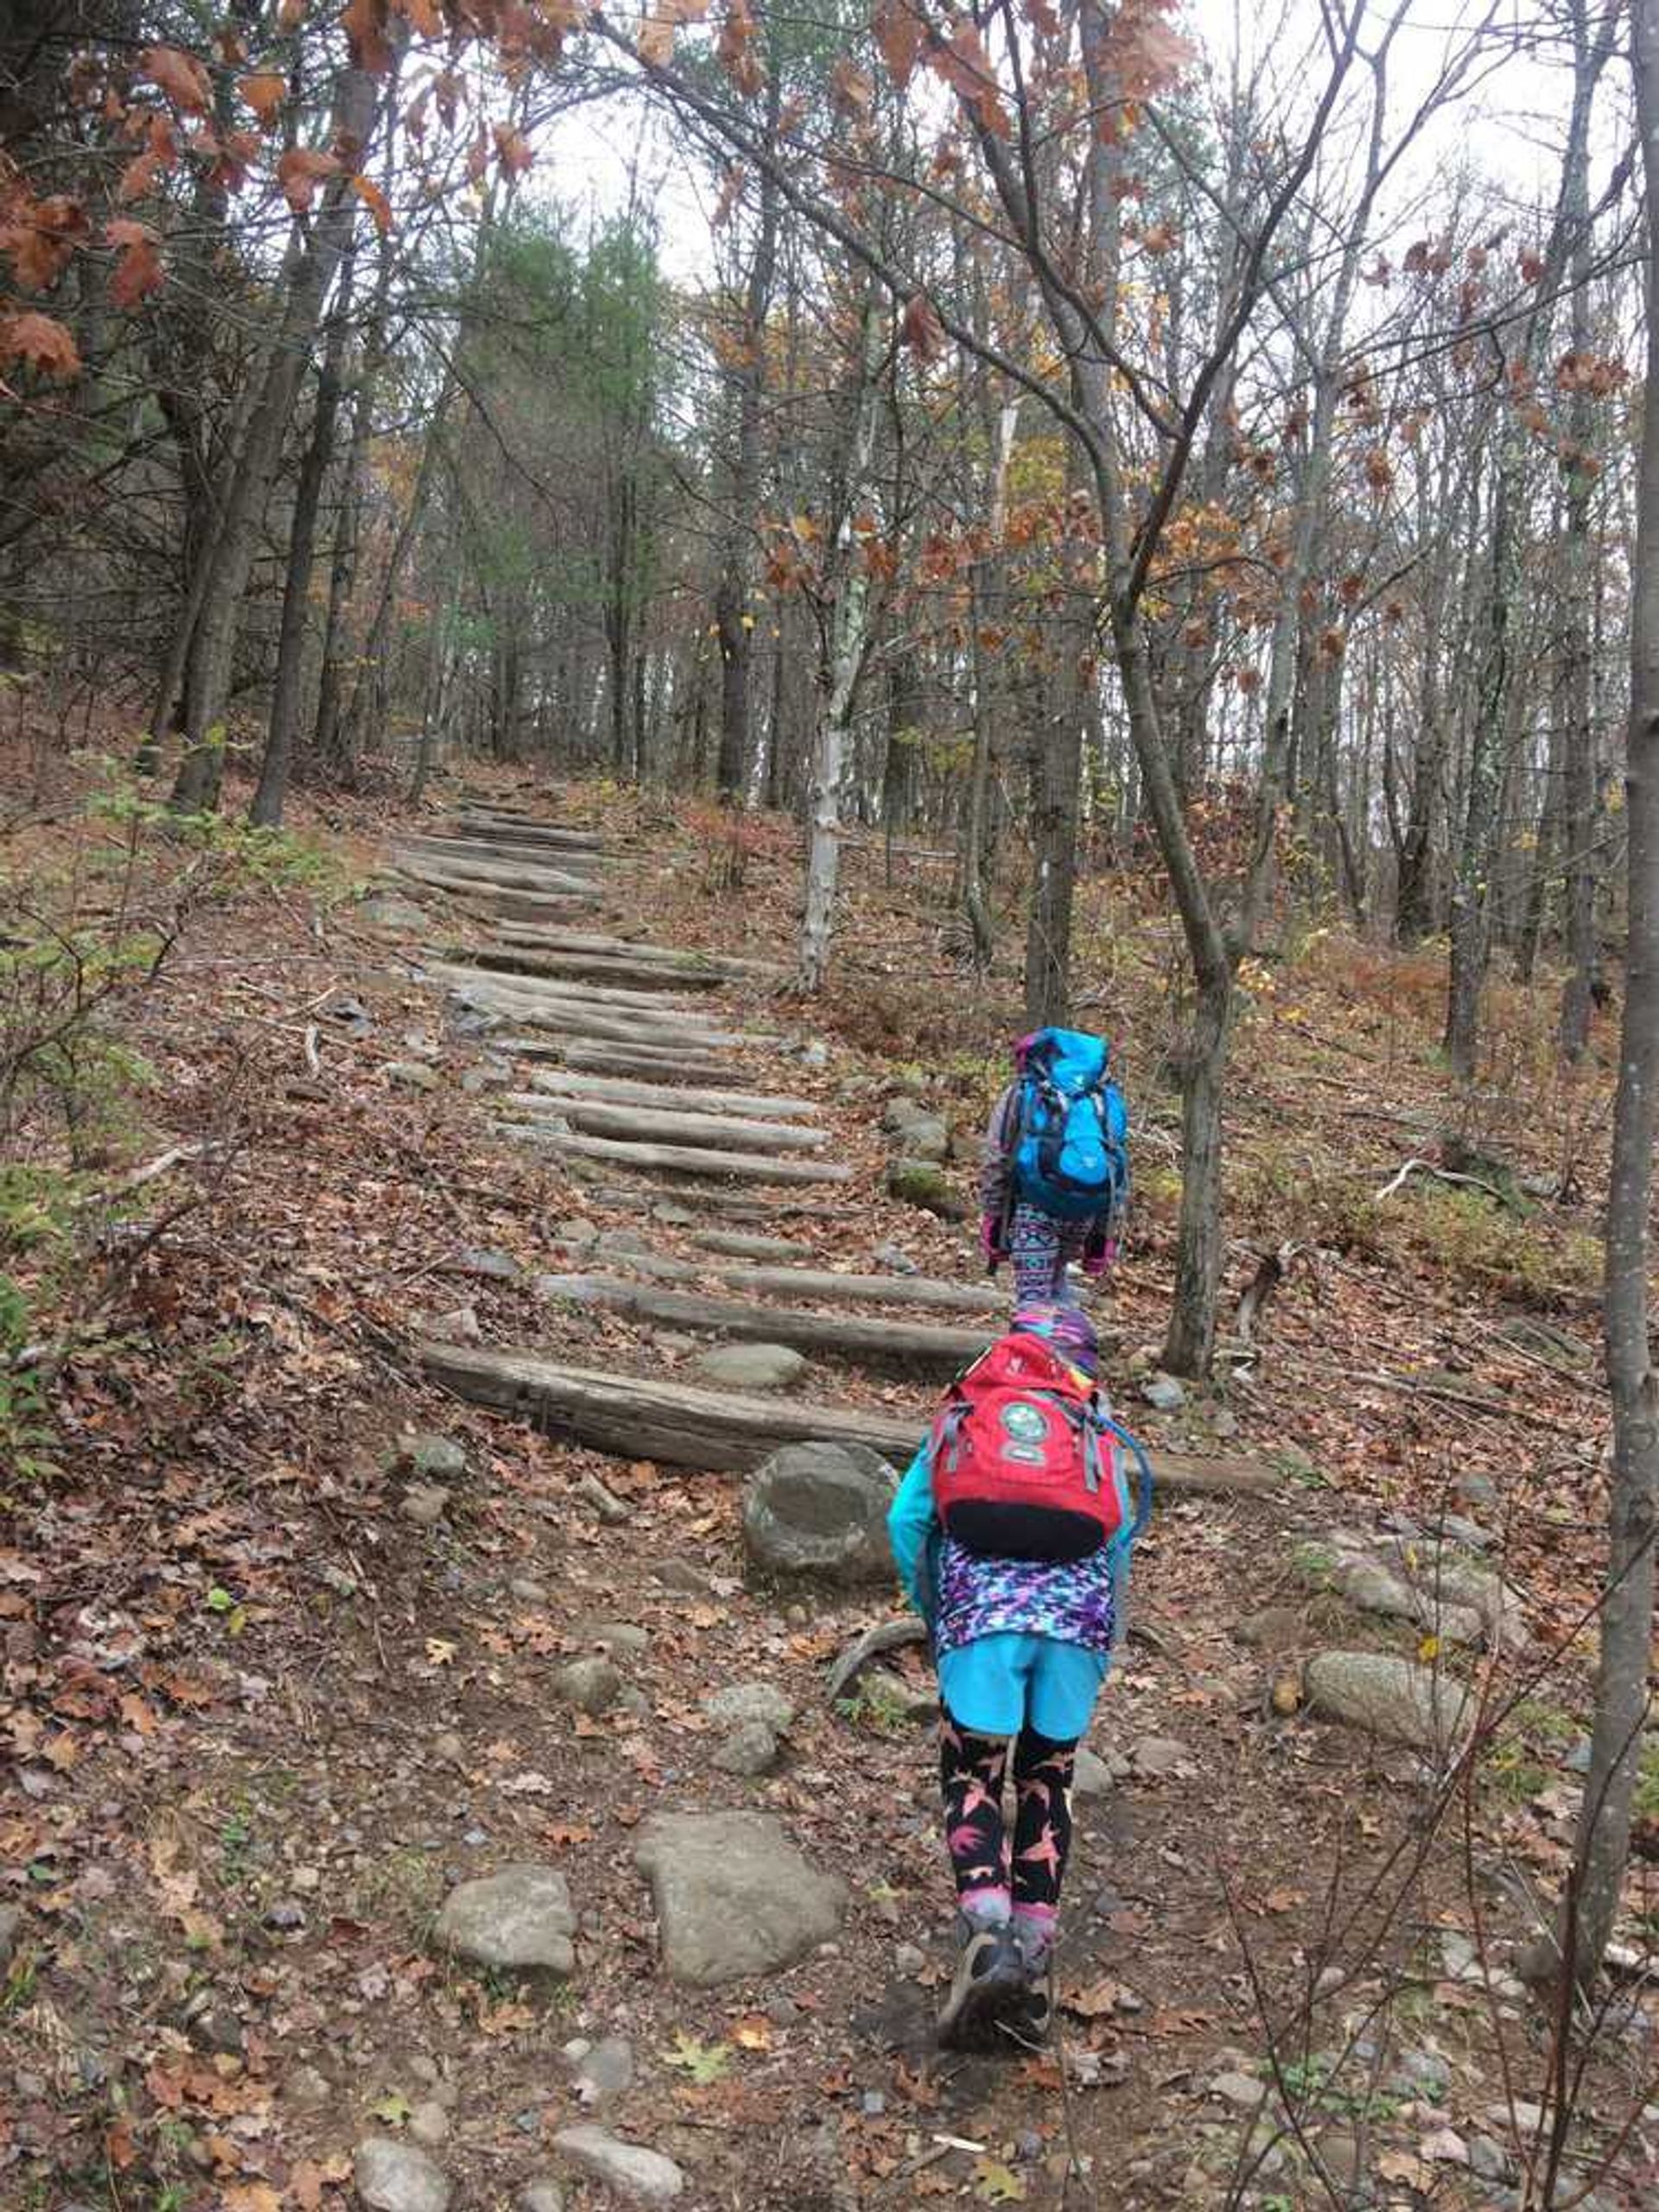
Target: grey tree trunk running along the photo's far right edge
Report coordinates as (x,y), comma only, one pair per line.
(1627,1605)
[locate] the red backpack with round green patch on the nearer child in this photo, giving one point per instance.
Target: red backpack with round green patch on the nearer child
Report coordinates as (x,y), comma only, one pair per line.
(1023,1459)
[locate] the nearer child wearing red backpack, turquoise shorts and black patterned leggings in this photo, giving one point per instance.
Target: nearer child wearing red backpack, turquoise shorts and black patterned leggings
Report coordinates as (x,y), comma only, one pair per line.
(1012,1536)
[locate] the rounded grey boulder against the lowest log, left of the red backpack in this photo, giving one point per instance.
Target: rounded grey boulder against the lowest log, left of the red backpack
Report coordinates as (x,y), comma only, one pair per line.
(822,1510)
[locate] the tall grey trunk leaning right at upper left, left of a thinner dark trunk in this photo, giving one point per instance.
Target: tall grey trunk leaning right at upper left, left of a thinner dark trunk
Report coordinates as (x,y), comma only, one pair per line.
(216,634)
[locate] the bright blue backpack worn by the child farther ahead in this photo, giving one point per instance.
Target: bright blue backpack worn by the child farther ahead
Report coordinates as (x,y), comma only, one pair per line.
(1070,1129)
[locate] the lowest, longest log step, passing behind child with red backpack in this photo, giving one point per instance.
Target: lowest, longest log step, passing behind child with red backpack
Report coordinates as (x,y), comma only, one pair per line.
(682,1426)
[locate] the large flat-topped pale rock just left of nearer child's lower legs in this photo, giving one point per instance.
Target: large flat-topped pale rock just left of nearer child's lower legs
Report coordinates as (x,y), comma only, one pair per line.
(733,1895)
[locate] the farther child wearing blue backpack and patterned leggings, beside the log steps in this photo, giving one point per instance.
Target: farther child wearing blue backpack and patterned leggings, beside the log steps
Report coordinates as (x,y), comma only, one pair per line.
(1056,1167)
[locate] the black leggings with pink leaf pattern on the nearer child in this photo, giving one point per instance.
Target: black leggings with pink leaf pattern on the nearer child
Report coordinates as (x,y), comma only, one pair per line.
(992,1872)
